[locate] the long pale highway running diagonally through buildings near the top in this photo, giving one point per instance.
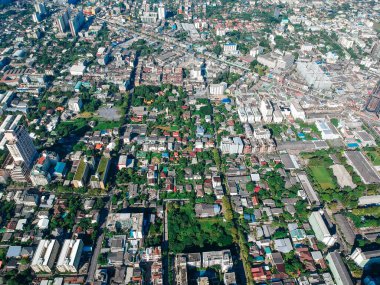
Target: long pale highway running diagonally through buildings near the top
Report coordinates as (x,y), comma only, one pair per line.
(171,40)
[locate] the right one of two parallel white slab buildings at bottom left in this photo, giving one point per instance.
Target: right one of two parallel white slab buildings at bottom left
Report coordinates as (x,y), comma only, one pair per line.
(68,260)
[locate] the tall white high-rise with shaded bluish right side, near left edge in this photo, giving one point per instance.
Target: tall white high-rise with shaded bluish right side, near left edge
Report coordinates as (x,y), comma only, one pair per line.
(20,146)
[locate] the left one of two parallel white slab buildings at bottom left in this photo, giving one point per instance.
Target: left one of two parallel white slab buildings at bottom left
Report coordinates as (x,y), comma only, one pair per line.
(45,255)
